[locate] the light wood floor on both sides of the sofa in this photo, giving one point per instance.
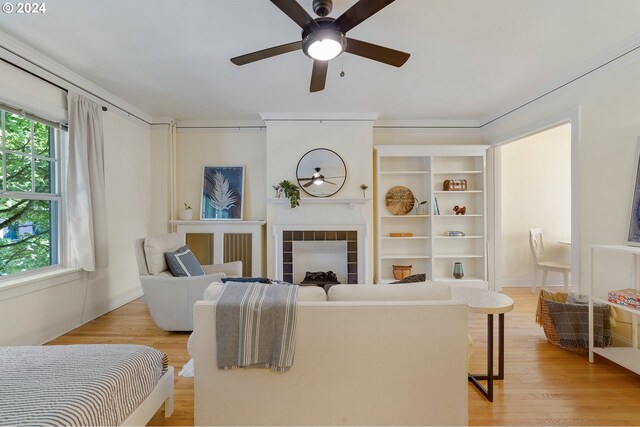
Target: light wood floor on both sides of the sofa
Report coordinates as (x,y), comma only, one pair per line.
(544,385)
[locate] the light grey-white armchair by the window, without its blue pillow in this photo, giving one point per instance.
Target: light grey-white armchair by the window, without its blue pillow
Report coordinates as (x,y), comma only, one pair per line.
(170,299)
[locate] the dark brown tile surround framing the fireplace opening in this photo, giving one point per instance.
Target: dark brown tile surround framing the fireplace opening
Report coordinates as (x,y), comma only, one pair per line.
(290,236)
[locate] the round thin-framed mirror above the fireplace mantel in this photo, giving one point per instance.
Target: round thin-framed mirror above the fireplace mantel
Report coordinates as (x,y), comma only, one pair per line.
(321,172)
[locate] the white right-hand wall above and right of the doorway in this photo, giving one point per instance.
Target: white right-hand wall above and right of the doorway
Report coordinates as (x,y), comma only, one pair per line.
(609,127)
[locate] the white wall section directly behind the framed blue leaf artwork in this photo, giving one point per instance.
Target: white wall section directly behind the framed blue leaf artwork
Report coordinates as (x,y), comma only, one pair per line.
(196,148)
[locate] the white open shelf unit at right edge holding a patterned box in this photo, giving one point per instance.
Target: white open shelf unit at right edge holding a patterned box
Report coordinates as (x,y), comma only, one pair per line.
(628,356)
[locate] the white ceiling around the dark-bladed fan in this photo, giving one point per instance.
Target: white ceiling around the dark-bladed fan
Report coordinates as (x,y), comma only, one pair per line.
(469,58)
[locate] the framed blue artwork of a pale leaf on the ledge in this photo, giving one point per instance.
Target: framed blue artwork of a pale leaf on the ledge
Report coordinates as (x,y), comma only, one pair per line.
(222,193)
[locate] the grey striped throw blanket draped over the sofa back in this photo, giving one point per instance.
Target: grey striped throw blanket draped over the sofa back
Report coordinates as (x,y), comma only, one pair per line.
(255,326)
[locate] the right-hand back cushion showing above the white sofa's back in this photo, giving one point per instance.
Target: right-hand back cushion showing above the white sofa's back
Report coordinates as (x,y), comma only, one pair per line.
(399,292)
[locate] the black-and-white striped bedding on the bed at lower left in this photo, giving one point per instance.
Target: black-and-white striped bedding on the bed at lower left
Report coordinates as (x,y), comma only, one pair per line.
(76,384)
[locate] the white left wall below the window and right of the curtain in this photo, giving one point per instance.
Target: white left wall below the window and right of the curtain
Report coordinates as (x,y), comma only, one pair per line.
(43,308)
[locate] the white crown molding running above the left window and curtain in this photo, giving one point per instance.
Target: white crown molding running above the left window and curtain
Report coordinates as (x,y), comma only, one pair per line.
(35,62)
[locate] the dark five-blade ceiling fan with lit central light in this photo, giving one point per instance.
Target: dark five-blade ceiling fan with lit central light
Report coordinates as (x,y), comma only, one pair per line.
(324,38)
